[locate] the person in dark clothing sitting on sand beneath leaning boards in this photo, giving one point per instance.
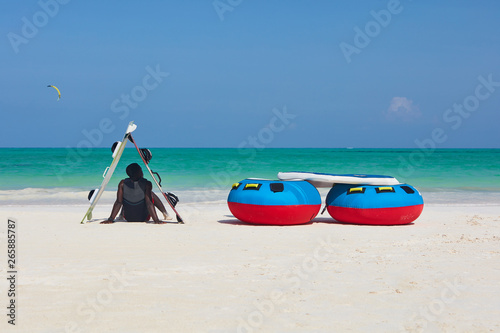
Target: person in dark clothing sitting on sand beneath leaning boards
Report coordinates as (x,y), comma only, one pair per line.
(137,198)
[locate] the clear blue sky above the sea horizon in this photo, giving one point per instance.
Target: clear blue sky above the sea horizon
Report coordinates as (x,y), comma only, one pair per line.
(251,74)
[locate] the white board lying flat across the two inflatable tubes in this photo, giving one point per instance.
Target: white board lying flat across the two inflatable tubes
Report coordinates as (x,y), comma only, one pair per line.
(328,180)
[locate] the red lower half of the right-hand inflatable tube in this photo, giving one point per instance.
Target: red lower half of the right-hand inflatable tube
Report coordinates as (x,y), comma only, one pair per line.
(376,216)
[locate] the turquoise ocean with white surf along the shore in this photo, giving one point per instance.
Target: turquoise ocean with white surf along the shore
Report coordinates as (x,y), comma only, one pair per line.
(59,176)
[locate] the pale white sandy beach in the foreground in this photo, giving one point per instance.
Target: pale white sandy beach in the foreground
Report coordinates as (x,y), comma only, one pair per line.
(215,274)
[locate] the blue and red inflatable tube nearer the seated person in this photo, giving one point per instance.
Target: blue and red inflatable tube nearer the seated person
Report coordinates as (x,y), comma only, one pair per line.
(274,202)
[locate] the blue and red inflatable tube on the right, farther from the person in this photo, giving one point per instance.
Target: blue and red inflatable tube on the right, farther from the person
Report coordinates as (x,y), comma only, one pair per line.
(378,205)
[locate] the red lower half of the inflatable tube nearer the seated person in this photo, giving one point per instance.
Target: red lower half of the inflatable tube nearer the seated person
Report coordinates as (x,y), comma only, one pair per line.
(274,215)
